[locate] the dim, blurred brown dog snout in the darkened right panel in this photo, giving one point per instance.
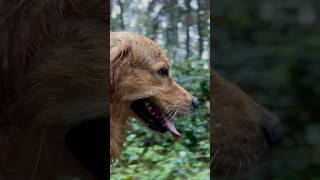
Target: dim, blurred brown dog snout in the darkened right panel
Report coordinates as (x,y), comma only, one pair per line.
(242,131)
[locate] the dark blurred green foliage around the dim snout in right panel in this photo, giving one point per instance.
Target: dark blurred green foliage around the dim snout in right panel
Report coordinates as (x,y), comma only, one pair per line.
(270,48)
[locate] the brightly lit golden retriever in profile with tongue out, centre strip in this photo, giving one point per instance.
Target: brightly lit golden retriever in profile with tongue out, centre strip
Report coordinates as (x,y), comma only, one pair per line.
(142,86)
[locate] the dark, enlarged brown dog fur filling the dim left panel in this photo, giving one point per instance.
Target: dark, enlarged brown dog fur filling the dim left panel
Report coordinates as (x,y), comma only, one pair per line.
(53,89)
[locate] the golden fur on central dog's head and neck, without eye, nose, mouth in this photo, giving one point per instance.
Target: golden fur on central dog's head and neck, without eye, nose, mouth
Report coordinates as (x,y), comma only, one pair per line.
(134,60)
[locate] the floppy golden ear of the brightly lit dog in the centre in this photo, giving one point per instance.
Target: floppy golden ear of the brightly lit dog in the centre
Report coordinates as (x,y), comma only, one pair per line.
(119,57)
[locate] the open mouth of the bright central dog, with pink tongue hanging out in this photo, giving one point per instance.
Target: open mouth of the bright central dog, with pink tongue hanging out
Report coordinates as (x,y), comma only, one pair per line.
(154,117)
